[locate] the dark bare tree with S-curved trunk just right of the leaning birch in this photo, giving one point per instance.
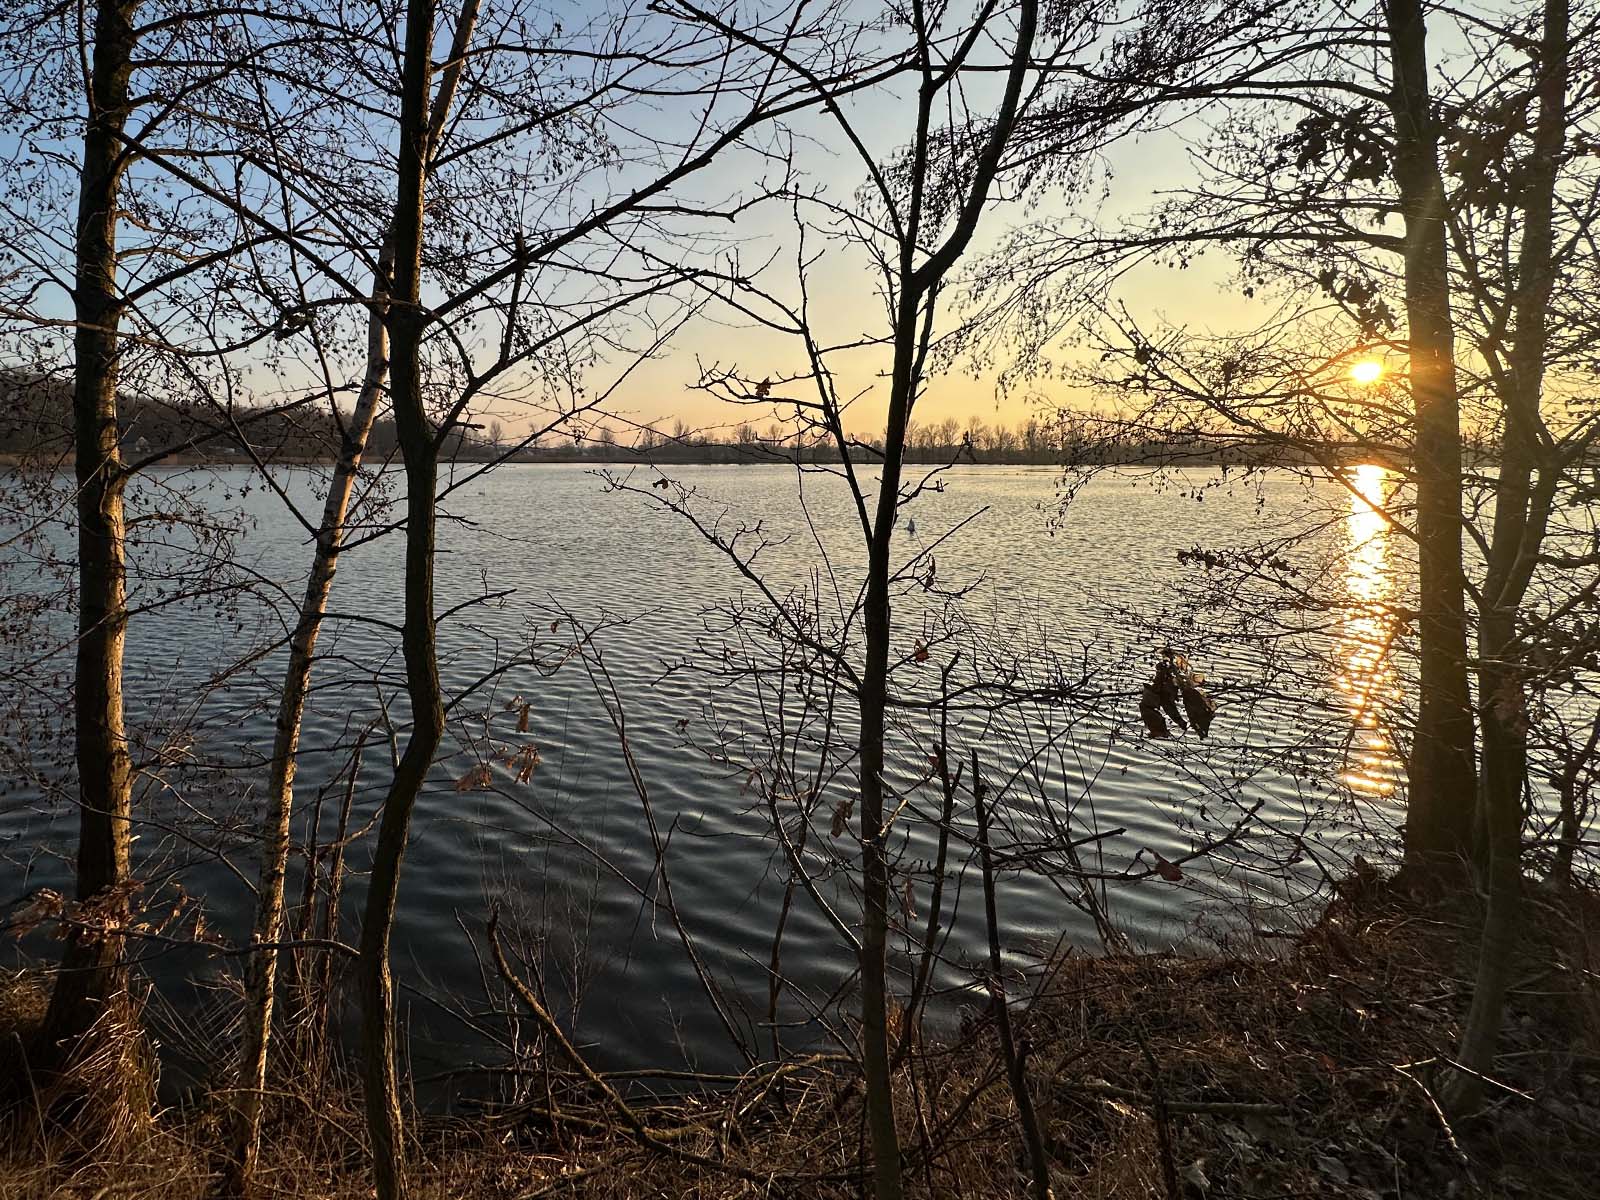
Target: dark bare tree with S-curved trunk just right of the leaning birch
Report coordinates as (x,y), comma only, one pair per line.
(433,396)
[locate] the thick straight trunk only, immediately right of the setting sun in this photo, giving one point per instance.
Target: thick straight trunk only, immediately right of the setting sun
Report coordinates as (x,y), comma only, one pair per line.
(1441,772)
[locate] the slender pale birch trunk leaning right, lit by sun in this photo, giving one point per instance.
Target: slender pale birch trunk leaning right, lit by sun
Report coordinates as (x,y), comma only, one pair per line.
(262,972)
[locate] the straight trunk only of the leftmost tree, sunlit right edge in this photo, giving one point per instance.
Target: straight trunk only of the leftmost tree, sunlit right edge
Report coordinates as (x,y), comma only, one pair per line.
(92,969)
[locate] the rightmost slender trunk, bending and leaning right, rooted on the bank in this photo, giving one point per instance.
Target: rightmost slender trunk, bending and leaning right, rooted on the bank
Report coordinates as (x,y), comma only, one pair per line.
(1522,506)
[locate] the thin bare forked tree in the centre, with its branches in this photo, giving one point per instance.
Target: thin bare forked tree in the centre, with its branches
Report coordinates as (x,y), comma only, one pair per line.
(914,220)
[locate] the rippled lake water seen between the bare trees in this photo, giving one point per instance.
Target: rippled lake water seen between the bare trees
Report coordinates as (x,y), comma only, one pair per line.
(1302,730)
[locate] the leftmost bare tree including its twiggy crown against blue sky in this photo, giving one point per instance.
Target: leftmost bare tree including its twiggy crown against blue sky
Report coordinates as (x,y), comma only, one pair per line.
(145,268)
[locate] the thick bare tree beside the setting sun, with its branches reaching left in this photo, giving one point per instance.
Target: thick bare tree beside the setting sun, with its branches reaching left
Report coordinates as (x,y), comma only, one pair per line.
(1297,180)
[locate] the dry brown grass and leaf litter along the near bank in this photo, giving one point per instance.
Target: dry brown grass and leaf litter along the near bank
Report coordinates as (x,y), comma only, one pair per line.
(1305,1074)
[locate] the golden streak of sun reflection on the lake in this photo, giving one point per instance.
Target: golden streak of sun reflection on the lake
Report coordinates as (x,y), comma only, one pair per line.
(1367,678)
